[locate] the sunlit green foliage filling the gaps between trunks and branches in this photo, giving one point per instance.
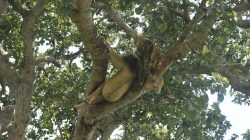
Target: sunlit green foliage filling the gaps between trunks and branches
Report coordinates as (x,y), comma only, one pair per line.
(180,111)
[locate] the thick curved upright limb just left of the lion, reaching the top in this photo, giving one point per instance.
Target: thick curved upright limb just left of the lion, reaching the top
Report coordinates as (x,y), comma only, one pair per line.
(82,17)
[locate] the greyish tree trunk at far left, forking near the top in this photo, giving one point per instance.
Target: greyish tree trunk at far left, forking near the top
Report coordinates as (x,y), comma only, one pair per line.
(21,83)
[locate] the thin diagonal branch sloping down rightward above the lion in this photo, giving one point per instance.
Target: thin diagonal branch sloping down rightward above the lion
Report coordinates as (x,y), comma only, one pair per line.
(117,18)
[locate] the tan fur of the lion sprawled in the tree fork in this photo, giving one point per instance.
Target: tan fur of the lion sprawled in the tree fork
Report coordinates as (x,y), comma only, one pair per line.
(115,87)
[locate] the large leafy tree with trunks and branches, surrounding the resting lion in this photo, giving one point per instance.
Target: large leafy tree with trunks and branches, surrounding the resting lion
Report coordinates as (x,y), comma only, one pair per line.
(53,54)
